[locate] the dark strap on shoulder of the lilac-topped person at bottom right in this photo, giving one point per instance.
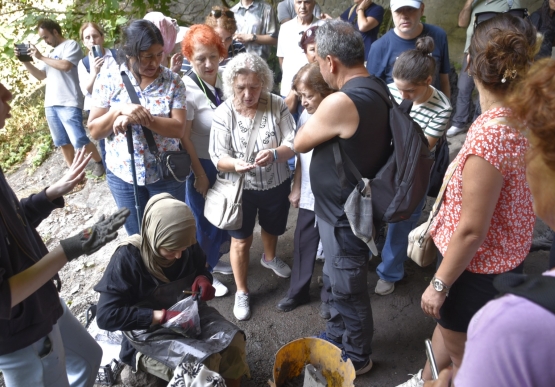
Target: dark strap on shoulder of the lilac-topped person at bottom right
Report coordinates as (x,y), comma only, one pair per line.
(536,288)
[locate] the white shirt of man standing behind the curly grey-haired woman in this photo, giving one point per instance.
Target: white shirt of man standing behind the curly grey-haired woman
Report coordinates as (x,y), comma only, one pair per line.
(288,48)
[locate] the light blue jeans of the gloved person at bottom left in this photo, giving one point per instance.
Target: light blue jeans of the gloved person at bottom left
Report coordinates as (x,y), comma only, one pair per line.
(67,356)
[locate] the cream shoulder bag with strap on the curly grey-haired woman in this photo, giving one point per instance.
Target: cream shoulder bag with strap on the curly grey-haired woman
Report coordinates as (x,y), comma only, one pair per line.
(223,202)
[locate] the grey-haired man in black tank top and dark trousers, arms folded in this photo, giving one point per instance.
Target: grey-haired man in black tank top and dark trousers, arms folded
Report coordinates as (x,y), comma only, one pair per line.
(357,119)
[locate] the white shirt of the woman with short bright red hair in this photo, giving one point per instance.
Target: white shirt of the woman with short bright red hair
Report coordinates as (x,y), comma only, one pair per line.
(201,111)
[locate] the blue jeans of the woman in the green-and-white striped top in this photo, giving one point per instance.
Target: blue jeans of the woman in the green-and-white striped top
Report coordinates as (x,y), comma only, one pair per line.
(394,252)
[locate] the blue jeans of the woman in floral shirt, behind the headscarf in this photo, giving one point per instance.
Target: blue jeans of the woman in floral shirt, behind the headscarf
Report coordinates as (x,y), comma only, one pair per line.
(124,195)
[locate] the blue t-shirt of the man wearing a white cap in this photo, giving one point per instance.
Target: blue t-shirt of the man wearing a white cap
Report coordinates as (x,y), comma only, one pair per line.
(385,51)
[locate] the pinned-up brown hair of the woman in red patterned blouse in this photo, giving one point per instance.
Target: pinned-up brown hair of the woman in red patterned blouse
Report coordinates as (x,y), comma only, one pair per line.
(501,51)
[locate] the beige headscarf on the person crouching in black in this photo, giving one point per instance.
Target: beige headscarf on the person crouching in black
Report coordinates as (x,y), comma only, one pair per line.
(167,223)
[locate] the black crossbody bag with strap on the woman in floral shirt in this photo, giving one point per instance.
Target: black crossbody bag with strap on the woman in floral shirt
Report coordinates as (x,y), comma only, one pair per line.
(172,165)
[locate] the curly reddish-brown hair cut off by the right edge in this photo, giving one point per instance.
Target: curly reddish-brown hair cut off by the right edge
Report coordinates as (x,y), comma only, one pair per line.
(533,103)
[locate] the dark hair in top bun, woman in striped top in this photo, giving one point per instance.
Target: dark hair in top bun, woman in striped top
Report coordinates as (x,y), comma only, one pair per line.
(416,65)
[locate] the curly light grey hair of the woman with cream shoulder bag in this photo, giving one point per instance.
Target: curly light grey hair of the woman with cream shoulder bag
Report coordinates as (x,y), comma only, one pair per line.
(243,64)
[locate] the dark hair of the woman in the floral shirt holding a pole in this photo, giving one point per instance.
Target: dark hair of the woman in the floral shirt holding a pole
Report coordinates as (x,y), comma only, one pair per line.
(139,36)
